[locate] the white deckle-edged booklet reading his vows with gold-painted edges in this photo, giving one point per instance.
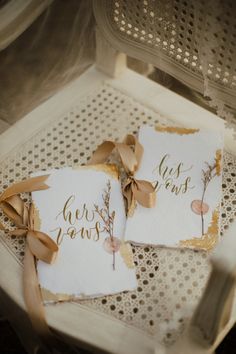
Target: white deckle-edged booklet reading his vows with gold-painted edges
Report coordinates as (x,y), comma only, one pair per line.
(184,166)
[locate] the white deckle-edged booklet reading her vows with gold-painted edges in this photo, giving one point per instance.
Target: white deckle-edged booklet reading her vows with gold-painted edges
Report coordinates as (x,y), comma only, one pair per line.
(83,212)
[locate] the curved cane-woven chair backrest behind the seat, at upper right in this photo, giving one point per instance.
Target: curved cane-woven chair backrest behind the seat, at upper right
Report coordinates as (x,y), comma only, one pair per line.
(193,41)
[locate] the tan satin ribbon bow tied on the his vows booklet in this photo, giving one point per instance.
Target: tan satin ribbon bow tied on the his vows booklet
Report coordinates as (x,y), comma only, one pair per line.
(130,152)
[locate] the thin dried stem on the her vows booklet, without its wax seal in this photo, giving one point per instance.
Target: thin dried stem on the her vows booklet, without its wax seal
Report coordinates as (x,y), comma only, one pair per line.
(107,218)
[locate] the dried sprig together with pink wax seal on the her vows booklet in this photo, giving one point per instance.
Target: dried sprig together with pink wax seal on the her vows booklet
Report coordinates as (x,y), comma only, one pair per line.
(111,244)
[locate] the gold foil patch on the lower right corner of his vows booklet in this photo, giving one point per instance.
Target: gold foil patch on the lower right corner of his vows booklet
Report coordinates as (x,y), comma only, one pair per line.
(209,239)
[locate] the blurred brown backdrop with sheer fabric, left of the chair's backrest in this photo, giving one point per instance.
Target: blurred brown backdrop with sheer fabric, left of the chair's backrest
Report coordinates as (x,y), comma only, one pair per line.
(57,47)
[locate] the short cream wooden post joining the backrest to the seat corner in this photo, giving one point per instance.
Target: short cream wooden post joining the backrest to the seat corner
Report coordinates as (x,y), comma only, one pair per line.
(108,59)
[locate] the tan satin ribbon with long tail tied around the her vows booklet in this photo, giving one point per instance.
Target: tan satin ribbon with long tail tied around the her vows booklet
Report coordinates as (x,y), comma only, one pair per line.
(38,246)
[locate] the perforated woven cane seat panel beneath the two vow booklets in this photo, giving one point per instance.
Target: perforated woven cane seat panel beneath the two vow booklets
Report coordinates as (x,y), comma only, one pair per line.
(170,280)
